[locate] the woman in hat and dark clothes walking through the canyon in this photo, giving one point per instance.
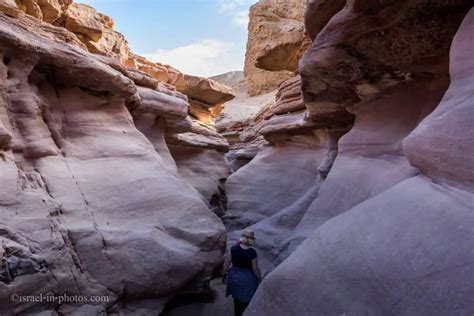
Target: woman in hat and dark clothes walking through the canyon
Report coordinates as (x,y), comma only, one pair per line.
(244,276)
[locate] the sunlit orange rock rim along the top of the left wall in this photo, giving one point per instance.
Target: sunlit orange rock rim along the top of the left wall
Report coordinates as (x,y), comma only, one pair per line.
(94,31)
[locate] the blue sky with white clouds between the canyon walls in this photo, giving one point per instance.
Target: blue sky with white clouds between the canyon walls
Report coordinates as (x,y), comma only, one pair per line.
(199,37)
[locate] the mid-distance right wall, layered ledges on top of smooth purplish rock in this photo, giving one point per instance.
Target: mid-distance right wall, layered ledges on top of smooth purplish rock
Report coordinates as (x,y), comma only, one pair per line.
(280,160)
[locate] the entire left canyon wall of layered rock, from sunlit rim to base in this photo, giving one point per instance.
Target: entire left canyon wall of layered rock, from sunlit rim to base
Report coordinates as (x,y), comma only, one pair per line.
(93,201)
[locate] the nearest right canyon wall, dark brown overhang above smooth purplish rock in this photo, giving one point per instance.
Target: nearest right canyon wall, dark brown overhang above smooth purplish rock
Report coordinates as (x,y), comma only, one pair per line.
(391,228)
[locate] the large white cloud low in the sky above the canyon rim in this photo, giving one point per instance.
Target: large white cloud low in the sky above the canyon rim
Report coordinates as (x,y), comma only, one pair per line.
(202,58)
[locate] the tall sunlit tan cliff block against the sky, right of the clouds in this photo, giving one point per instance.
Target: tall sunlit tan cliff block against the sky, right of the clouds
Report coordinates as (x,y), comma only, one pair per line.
(276,42)
